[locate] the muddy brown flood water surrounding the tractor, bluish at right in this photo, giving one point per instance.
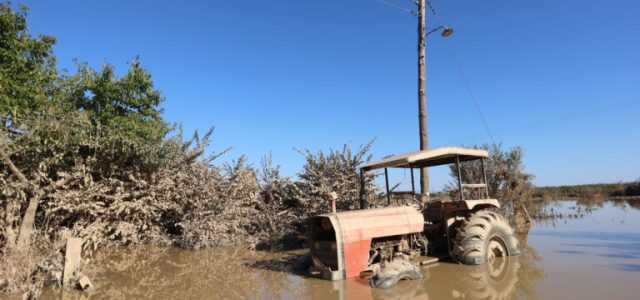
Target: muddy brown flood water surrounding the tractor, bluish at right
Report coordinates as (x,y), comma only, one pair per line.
(593,253)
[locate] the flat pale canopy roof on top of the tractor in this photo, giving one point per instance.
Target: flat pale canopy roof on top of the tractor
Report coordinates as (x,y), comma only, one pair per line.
(427,158)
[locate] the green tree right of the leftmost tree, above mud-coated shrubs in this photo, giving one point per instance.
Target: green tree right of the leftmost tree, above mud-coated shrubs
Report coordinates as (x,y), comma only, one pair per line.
(125,115)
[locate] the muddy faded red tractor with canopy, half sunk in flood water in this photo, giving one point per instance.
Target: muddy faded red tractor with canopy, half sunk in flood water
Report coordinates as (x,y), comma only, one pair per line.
(386,244)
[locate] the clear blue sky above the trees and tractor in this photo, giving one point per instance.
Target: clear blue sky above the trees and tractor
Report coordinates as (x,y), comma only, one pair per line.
(560,78)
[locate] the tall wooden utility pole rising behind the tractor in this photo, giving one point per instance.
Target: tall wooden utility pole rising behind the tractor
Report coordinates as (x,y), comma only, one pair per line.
(422,94)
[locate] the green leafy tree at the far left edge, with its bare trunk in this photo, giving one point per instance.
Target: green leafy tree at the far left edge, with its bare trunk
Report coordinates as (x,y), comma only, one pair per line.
(27,82)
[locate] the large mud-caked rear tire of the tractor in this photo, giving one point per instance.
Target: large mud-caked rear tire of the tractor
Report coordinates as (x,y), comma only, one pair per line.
(483,237)
